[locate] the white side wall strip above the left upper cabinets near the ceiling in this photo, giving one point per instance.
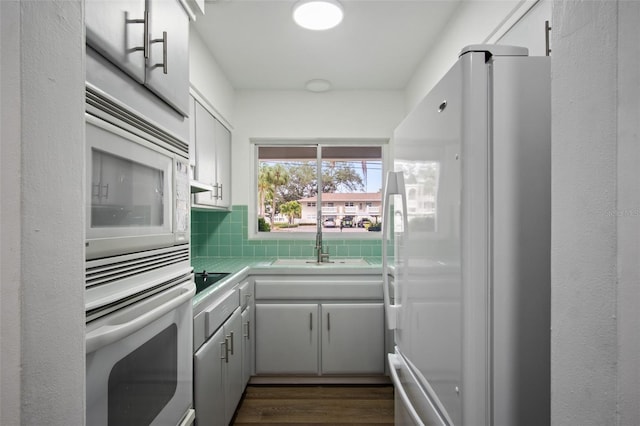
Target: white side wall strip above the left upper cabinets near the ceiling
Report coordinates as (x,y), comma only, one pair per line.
(209,81)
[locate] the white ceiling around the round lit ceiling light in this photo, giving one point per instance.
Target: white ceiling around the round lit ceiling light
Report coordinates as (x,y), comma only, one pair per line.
(378,45)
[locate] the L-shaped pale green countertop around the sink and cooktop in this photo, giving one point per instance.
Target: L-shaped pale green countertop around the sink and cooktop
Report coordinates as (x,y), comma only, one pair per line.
(240,268)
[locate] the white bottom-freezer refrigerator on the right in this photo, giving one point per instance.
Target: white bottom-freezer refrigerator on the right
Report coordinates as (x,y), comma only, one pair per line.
(467,245)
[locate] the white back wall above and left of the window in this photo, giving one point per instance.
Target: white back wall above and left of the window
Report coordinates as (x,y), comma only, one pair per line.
(301,115)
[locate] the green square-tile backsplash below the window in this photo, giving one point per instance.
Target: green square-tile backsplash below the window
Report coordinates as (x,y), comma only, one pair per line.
(225,234)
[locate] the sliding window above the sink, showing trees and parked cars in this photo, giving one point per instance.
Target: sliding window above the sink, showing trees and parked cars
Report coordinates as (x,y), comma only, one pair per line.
(301,187)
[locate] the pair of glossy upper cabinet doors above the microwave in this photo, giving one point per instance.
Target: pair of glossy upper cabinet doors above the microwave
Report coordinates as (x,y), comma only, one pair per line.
(147,40)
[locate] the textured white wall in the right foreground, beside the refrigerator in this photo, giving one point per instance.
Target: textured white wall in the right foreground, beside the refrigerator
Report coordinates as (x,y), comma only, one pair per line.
(596,213)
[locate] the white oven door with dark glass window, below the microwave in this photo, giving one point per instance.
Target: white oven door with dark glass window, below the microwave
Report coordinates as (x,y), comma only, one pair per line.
(139,362)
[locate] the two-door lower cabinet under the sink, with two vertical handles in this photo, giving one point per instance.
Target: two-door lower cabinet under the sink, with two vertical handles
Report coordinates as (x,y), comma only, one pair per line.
(320,338)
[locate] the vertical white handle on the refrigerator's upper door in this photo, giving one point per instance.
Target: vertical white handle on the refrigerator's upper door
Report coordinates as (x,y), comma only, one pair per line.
(394,185)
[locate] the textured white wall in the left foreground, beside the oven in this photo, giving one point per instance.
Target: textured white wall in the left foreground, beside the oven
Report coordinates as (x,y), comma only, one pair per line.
(42,292)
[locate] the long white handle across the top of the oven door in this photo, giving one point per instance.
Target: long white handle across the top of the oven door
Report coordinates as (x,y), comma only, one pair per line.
(133,318)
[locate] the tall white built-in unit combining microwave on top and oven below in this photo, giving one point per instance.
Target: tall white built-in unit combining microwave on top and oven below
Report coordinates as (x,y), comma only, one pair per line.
(138,277)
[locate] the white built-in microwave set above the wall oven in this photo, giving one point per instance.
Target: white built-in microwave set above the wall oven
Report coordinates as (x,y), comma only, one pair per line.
(137,190)
